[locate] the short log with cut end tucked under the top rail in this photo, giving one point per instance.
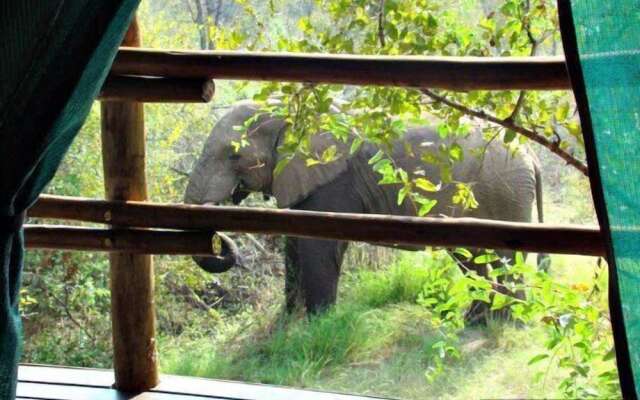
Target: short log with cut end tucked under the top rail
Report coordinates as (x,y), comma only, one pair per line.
(157,89)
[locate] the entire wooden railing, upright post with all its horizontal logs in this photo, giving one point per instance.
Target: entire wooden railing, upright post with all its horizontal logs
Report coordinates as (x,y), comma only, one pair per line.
(144,75)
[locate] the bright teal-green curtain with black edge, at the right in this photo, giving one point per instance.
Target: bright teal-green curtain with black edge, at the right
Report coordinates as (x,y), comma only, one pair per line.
(602,46)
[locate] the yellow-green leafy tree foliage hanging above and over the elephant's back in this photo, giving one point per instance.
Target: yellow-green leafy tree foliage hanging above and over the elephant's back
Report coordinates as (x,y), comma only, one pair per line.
(380,114)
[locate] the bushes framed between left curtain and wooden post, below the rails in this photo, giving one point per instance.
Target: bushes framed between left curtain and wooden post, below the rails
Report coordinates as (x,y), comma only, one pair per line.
(65,308)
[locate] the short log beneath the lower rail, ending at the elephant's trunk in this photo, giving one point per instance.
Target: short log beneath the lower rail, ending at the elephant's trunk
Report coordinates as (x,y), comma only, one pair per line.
(136,241)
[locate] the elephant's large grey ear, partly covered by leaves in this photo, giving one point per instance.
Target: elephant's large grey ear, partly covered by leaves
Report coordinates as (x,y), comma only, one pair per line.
(297,181)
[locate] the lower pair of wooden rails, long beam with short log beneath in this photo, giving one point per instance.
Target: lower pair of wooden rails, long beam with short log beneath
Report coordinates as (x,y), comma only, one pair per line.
(371,228)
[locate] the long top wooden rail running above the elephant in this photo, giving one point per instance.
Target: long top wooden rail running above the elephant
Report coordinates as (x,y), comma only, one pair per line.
(452,73)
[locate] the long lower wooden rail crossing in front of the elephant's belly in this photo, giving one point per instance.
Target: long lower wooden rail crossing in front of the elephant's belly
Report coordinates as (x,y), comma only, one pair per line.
(376,229)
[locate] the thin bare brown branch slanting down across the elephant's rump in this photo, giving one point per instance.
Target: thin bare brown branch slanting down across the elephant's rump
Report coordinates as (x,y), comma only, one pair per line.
(553,146)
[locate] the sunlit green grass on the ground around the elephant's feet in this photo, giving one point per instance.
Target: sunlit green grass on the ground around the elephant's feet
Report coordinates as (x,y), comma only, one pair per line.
(376,341)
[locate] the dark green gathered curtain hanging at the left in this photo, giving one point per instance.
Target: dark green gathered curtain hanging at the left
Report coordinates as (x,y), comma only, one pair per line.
(54,57)
